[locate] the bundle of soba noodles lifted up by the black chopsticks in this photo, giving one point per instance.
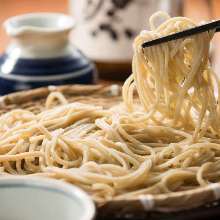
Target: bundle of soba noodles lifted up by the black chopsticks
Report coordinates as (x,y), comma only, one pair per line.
(174,80)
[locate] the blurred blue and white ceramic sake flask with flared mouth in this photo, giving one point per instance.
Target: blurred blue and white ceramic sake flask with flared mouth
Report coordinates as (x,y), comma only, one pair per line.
(40,54)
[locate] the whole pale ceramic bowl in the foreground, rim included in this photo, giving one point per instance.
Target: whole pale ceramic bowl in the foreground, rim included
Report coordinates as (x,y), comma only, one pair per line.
(33,198)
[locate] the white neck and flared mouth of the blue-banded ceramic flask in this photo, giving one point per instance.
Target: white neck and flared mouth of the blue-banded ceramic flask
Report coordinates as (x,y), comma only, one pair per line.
(39,35)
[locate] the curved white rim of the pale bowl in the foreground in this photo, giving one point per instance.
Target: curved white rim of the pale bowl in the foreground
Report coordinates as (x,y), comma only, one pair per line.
(52,185)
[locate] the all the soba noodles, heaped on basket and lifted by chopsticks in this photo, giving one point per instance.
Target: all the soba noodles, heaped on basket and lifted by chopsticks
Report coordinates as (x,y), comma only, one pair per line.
(167,140)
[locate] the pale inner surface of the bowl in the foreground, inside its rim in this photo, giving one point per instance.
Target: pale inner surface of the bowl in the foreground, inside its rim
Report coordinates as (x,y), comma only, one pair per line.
(54,206)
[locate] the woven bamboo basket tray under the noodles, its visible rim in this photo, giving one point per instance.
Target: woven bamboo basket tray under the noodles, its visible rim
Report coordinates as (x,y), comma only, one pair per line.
(107,96)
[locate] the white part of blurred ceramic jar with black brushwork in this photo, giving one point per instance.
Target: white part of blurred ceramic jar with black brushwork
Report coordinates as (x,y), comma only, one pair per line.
(105,29)
